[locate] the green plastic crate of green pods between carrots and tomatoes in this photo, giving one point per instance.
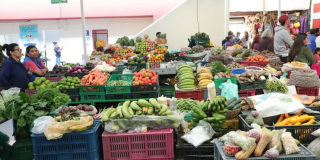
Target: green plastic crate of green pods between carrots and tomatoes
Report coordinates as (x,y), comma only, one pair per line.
(119,89)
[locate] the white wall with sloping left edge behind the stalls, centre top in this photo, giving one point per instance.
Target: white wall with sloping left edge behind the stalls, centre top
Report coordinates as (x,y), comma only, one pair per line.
(181,23)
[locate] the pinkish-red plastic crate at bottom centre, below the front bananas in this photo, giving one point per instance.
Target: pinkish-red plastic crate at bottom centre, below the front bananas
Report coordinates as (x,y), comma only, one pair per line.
(154,144)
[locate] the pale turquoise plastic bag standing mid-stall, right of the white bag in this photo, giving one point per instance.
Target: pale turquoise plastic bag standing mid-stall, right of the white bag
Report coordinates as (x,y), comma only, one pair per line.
(229,90)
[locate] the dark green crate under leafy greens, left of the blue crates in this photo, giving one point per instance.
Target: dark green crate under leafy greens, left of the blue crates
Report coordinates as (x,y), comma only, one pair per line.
(23,150)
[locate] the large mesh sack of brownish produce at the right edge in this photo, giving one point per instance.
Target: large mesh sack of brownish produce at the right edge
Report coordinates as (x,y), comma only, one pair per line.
(304,78)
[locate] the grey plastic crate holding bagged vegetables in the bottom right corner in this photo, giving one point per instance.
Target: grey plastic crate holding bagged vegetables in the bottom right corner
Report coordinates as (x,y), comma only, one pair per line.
(303,154)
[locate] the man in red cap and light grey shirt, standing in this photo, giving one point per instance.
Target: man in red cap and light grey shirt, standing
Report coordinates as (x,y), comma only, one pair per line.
(282,38)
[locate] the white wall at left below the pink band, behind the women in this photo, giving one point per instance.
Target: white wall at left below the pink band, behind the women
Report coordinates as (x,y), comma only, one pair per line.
(71,36)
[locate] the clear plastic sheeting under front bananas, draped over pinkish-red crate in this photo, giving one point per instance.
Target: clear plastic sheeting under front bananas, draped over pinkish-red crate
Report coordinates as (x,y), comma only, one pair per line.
(152,122)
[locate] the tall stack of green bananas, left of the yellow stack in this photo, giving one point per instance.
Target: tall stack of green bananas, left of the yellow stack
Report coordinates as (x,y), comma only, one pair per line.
(186,78)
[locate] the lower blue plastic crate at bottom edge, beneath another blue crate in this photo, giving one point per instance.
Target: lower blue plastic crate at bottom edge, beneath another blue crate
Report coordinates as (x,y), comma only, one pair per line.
(93,155)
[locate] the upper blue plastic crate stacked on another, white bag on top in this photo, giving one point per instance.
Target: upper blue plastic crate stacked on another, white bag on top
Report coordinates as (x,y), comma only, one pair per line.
(85,141)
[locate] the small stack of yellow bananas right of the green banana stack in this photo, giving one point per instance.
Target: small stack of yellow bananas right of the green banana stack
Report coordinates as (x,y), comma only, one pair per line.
(203,78)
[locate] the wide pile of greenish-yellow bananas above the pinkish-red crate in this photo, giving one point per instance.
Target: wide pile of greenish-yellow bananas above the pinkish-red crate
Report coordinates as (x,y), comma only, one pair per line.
(140,107)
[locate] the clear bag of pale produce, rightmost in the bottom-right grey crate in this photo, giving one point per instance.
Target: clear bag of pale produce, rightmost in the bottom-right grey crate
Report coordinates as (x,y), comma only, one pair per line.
(289,144)
